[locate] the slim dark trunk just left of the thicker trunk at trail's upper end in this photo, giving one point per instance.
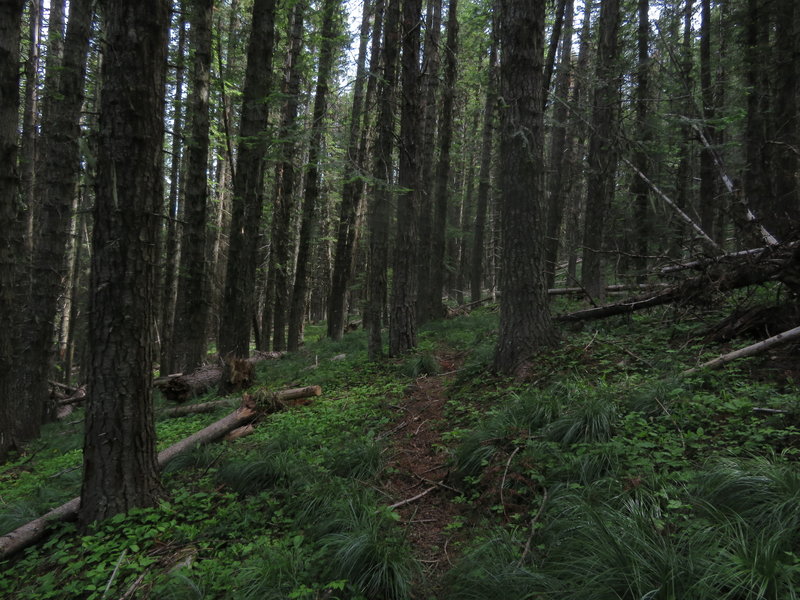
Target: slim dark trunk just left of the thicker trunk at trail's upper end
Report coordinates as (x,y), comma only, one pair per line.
(378,212)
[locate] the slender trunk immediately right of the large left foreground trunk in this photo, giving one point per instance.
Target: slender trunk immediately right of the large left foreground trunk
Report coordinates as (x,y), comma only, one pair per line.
(171,243)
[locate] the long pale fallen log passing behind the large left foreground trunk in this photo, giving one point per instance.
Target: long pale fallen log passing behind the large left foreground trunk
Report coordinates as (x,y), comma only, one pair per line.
(28,534)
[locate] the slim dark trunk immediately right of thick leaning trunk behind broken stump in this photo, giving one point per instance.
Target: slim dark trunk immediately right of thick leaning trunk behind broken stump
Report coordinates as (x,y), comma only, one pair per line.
(280,252)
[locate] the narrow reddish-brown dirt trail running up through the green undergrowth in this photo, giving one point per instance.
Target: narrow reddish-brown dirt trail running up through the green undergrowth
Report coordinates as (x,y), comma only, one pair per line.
(418,469)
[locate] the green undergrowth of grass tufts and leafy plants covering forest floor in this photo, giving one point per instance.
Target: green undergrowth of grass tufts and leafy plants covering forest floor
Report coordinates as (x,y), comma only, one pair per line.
(603,475)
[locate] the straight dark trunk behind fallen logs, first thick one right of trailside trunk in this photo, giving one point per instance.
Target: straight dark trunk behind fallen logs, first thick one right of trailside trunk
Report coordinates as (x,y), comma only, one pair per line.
(602,148)
